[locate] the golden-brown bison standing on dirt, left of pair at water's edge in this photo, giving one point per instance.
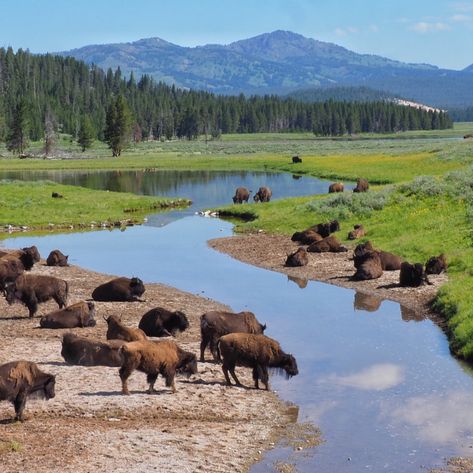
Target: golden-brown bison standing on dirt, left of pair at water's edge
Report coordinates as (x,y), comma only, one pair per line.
(153,358)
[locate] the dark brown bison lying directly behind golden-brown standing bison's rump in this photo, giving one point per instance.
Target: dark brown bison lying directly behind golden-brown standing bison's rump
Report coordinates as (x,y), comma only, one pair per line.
(86,352)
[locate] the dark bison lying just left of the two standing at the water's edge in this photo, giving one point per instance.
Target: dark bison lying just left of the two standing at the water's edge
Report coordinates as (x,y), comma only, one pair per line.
(160,322)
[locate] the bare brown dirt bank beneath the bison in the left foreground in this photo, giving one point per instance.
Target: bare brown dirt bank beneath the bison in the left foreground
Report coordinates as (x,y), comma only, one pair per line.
(89,426)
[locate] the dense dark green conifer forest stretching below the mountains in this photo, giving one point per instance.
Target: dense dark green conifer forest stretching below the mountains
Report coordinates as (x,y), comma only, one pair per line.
(41,94)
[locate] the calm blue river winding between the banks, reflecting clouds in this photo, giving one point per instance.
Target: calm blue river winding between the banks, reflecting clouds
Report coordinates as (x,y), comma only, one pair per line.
(381,385)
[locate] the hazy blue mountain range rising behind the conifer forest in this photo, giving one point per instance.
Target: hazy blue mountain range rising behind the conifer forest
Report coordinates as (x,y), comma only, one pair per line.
(279,63)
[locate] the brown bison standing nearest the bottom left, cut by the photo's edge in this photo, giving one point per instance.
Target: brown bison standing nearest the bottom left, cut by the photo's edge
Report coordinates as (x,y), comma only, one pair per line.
(21,379)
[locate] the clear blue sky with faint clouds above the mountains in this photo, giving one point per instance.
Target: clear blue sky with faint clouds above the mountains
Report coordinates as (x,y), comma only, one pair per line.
(438,32)
